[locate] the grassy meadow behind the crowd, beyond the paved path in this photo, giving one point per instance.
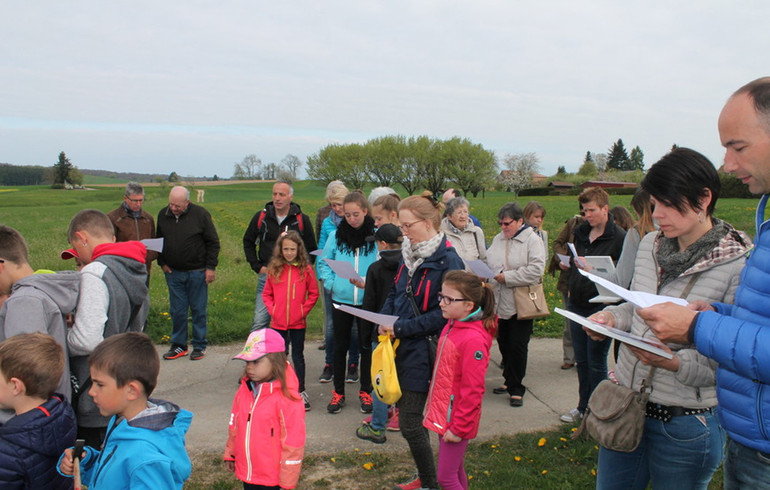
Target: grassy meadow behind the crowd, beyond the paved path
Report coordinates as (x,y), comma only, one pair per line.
(42,215)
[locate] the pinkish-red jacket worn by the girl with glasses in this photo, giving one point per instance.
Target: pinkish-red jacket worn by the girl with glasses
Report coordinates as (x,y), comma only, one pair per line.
(457,387)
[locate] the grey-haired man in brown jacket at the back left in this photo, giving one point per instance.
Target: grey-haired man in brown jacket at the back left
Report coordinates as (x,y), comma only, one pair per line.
(131,222)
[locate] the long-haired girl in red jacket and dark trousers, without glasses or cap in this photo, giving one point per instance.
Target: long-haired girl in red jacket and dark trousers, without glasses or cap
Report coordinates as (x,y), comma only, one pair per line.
(290,292)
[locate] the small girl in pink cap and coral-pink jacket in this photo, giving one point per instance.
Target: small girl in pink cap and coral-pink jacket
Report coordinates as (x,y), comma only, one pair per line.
(266,439)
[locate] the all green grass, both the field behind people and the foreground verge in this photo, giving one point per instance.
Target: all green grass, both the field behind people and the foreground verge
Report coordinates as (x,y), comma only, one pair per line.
(521,461)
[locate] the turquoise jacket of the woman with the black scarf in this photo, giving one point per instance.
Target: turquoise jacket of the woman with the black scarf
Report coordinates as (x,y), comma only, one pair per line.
(341,289)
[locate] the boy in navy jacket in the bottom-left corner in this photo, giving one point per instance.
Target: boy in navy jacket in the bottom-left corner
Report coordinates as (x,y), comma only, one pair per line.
(31,365)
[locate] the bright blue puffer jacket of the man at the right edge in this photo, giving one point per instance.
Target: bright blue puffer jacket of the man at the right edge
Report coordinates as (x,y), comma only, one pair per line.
(738,338)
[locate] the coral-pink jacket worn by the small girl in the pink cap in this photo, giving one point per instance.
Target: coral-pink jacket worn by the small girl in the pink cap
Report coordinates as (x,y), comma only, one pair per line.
(266,436)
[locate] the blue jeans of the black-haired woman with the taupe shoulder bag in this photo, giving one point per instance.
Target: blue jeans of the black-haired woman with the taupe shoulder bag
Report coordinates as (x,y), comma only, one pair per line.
(682,453)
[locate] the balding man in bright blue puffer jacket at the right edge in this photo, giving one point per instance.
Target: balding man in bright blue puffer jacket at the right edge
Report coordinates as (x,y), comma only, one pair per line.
(738,336)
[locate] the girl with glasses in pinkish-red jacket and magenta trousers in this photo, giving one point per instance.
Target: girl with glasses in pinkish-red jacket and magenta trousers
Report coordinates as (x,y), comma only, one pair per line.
(453,409)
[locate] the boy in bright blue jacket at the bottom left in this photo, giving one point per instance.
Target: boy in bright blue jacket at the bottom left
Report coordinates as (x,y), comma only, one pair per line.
(144,446)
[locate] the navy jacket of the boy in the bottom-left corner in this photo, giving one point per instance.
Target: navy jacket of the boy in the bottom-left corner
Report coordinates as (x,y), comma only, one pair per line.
(31,443)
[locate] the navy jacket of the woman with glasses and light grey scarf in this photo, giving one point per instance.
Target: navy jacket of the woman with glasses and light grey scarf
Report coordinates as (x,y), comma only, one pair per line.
(412,357)
